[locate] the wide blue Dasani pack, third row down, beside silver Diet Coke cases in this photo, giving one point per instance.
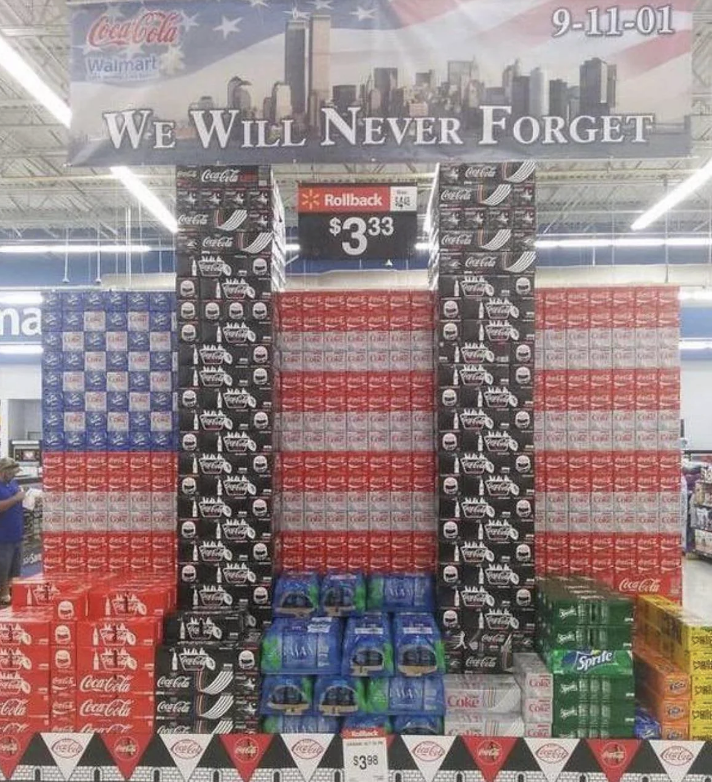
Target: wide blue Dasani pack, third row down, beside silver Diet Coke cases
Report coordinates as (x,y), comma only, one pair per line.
(406,695)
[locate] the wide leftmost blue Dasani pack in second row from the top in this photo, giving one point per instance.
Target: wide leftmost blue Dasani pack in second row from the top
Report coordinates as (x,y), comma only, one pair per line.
(304,646)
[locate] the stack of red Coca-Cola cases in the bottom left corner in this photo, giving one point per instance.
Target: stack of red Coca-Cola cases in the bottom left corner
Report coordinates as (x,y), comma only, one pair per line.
(81,657)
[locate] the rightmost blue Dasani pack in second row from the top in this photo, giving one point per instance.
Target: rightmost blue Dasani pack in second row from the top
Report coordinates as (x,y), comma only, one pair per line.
(418,644)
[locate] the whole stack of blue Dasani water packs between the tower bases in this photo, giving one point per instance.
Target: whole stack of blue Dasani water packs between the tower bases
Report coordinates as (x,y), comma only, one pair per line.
(354,652)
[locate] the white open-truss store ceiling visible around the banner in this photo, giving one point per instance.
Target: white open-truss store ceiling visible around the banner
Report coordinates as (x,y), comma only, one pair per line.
(40,197)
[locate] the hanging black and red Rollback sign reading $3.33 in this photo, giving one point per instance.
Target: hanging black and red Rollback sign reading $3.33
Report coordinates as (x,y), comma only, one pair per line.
(358,223)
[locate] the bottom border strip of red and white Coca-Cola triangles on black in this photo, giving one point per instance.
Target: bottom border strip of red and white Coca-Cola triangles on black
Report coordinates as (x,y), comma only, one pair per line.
(71,756)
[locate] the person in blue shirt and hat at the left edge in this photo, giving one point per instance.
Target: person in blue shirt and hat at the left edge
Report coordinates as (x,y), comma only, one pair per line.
(11,527)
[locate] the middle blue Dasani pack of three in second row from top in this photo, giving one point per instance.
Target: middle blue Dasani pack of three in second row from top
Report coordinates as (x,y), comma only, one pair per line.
(368,646)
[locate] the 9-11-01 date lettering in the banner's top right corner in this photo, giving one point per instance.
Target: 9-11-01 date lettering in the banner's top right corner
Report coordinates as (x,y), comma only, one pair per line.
(600,22)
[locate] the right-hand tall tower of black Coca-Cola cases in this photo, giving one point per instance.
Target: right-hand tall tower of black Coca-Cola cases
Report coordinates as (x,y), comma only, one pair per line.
(482,268)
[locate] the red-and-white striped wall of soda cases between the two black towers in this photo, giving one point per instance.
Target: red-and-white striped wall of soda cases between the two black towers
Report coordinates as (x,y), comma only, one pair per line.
(356,415)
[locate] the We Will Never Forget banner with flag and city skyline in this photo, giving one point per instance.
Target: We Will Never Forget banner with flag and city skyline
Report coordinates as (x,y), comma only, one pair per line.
(270,81)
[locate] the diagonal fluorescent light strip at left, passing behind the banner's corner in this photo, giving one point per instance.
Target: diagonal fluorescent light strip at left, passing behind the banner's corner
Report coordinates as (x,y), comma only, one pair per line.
(16,67)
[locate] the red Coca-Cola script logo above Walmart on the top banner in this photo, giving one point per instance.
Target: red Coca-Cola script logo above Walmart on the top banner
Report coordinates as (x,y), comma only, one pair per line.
(149,28)
